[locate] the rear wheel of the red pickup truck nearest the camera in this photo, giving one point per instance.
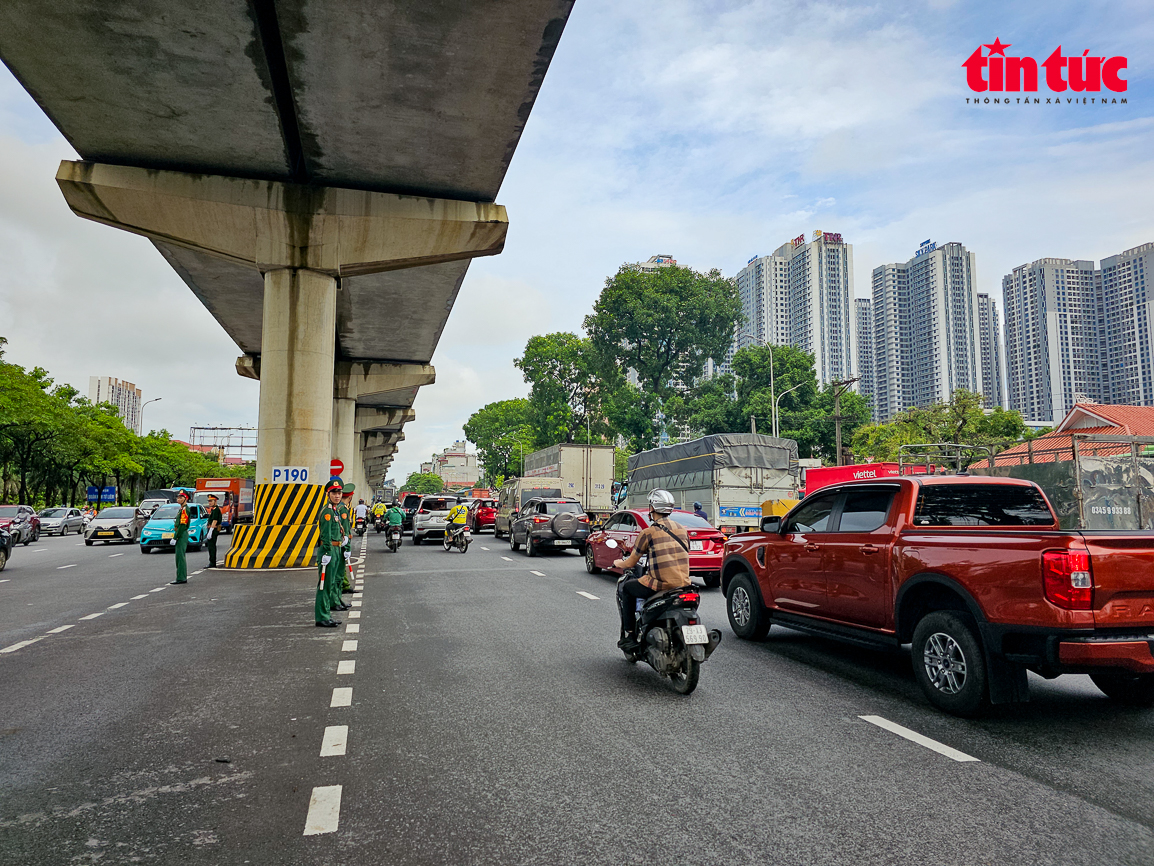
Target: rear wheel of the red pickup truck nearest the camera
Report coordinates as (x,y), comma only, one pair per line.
(949,663)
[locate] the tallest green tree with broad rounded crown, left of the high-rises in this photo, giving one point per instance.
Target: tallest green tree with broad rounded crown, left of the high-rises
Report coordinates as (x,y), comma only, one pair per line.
(665,324)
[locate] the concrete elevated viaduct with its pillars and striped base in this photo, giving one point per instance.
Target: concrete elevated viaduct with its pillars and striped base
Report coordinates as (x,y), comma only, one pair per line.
(320,175)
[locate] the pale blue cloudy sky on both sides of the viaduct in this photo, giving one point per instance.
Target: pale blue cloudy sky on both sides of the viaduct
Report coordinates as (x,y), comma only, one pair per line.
(713,132)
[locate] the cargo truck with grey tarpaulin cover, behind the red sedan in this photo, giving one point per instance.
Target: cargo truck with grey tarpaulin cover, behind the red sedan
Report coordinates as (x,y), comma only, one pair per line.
(730,474)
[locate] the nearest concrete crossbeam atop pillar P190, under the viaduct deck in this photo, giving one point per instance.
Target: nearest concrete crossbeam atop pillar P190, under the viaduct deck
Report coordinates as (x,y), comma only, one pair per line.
(265,225)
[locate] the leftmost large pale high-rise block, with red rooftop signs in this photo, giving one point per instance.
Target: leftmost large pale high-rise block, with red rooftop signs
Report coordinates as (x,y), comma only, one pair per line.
(803,296)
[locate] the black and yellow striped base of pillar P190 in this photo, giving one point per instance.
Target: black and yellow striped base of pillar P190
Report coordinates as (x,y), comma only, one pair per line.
(283,534)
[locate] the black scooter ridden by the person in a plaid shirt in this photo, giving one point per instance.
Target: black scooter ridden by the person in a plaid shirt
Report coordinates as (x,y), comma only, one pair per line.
(671,637)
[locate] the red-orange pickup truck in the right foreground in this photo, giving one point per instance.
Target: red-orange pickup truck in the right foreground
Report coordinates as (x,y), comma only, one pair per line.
(973,573)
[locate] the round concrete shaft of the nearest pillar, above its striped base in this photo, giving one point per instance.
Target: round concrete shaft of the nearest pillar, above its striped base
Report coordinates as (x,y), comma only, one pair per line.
(298,345)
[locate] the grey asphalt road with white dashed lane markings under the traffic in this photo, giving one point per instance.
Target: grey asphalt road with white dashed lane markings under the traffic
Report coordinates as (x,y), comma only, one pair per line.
(492,721)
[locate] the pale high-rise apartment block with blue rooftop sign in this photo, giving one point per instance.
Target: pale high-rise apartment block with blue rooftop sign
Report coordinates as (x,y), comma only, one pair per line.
(926,337)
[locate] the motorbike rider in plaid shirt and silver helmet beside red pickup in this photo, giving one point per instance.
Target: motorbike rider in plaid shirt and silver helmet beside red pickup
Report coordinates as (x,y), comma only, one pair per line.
(668,546)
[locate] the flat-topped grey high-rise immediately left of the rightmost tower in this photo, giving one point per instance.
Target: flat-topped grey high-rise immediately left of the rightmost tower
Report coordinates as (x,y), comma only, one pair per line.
(1054,347)
